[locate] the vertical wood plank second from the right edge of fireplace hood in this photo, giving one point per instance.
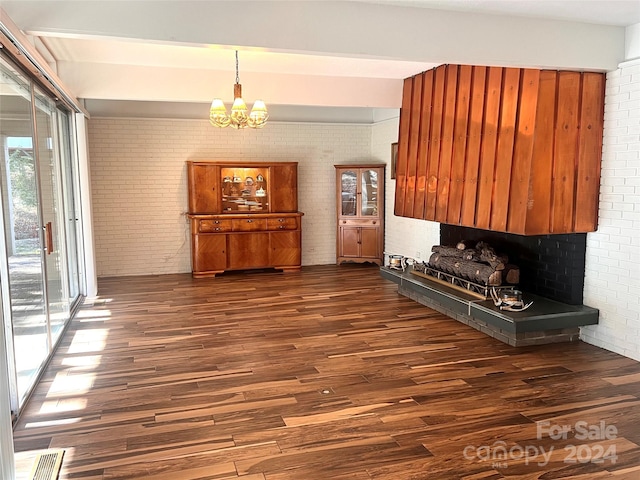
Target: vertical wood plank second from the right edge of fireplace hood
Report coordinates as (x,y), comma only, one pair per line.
(565,153)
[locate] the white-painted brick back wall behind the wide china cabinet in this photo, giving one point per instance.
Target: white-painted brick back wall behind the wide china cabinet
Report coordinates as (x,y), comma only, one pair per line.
(139,185)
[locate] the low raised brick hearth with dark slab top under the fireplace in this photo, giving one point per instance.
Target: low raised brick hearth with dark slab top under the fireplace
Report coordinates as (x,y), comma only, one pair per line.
(546,321)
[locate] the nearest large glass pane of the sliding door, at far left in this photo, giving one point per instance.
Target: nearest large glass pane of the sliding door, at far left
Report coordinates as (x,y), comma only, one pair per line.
(29,342)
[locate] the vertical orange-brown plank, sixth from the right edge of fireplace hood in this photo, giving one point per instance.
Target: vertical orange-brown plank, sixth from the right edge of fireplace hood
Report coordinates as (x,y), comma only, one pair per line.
(489,144)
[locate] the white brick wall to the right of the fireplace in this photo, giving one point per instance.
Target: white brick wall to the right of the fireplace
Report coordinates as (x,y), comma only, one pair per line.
(612,277)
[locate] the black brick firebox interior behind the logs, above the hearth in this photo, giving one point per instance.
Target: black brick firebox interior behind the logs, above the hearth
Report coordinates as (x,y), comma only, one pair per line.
(551,266)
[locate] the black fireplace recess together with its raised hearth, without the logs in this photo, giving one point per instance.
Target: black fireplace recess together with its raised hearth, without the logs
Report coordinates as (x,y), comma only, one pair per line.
(551,277)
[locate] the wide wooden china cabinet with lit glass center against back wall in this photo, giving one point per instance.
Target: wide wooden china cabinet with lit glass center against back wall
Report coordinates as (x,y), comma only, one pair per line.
(243,216)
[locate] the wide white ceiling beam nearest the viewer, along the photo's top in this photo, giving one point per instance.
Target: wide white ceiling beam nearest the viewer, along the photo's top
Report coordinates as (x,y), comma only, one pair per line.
(351,29)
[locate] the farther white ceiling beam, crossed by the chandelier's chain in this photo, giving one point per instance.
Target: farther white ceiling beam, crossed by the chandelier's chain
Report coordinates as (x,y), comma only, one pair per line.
(137,82)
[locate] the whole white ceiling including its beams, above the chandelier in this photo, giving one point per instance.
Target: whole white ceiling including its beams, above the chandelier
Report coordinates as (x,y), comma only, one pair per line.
(310,61)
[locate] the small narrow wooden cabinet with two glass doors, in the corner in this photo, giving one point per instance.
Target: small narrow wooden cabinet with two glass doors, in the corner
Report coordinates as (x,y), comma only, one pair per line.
(360,202)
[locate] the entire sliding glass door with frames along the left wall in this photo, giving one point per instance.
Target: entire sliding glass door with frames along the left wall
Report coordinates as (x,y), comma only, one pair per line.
(39,276)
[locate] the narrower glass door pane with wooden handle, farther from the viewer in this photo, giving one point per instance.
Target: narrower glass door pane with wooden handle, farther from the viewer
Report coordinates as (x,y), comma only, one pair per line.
(53,218)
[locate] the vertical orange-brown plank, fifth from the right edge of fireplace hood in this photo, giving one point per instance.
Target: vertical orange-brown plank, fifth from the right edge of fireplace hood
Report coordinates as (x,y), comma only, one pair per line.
(504,154)
